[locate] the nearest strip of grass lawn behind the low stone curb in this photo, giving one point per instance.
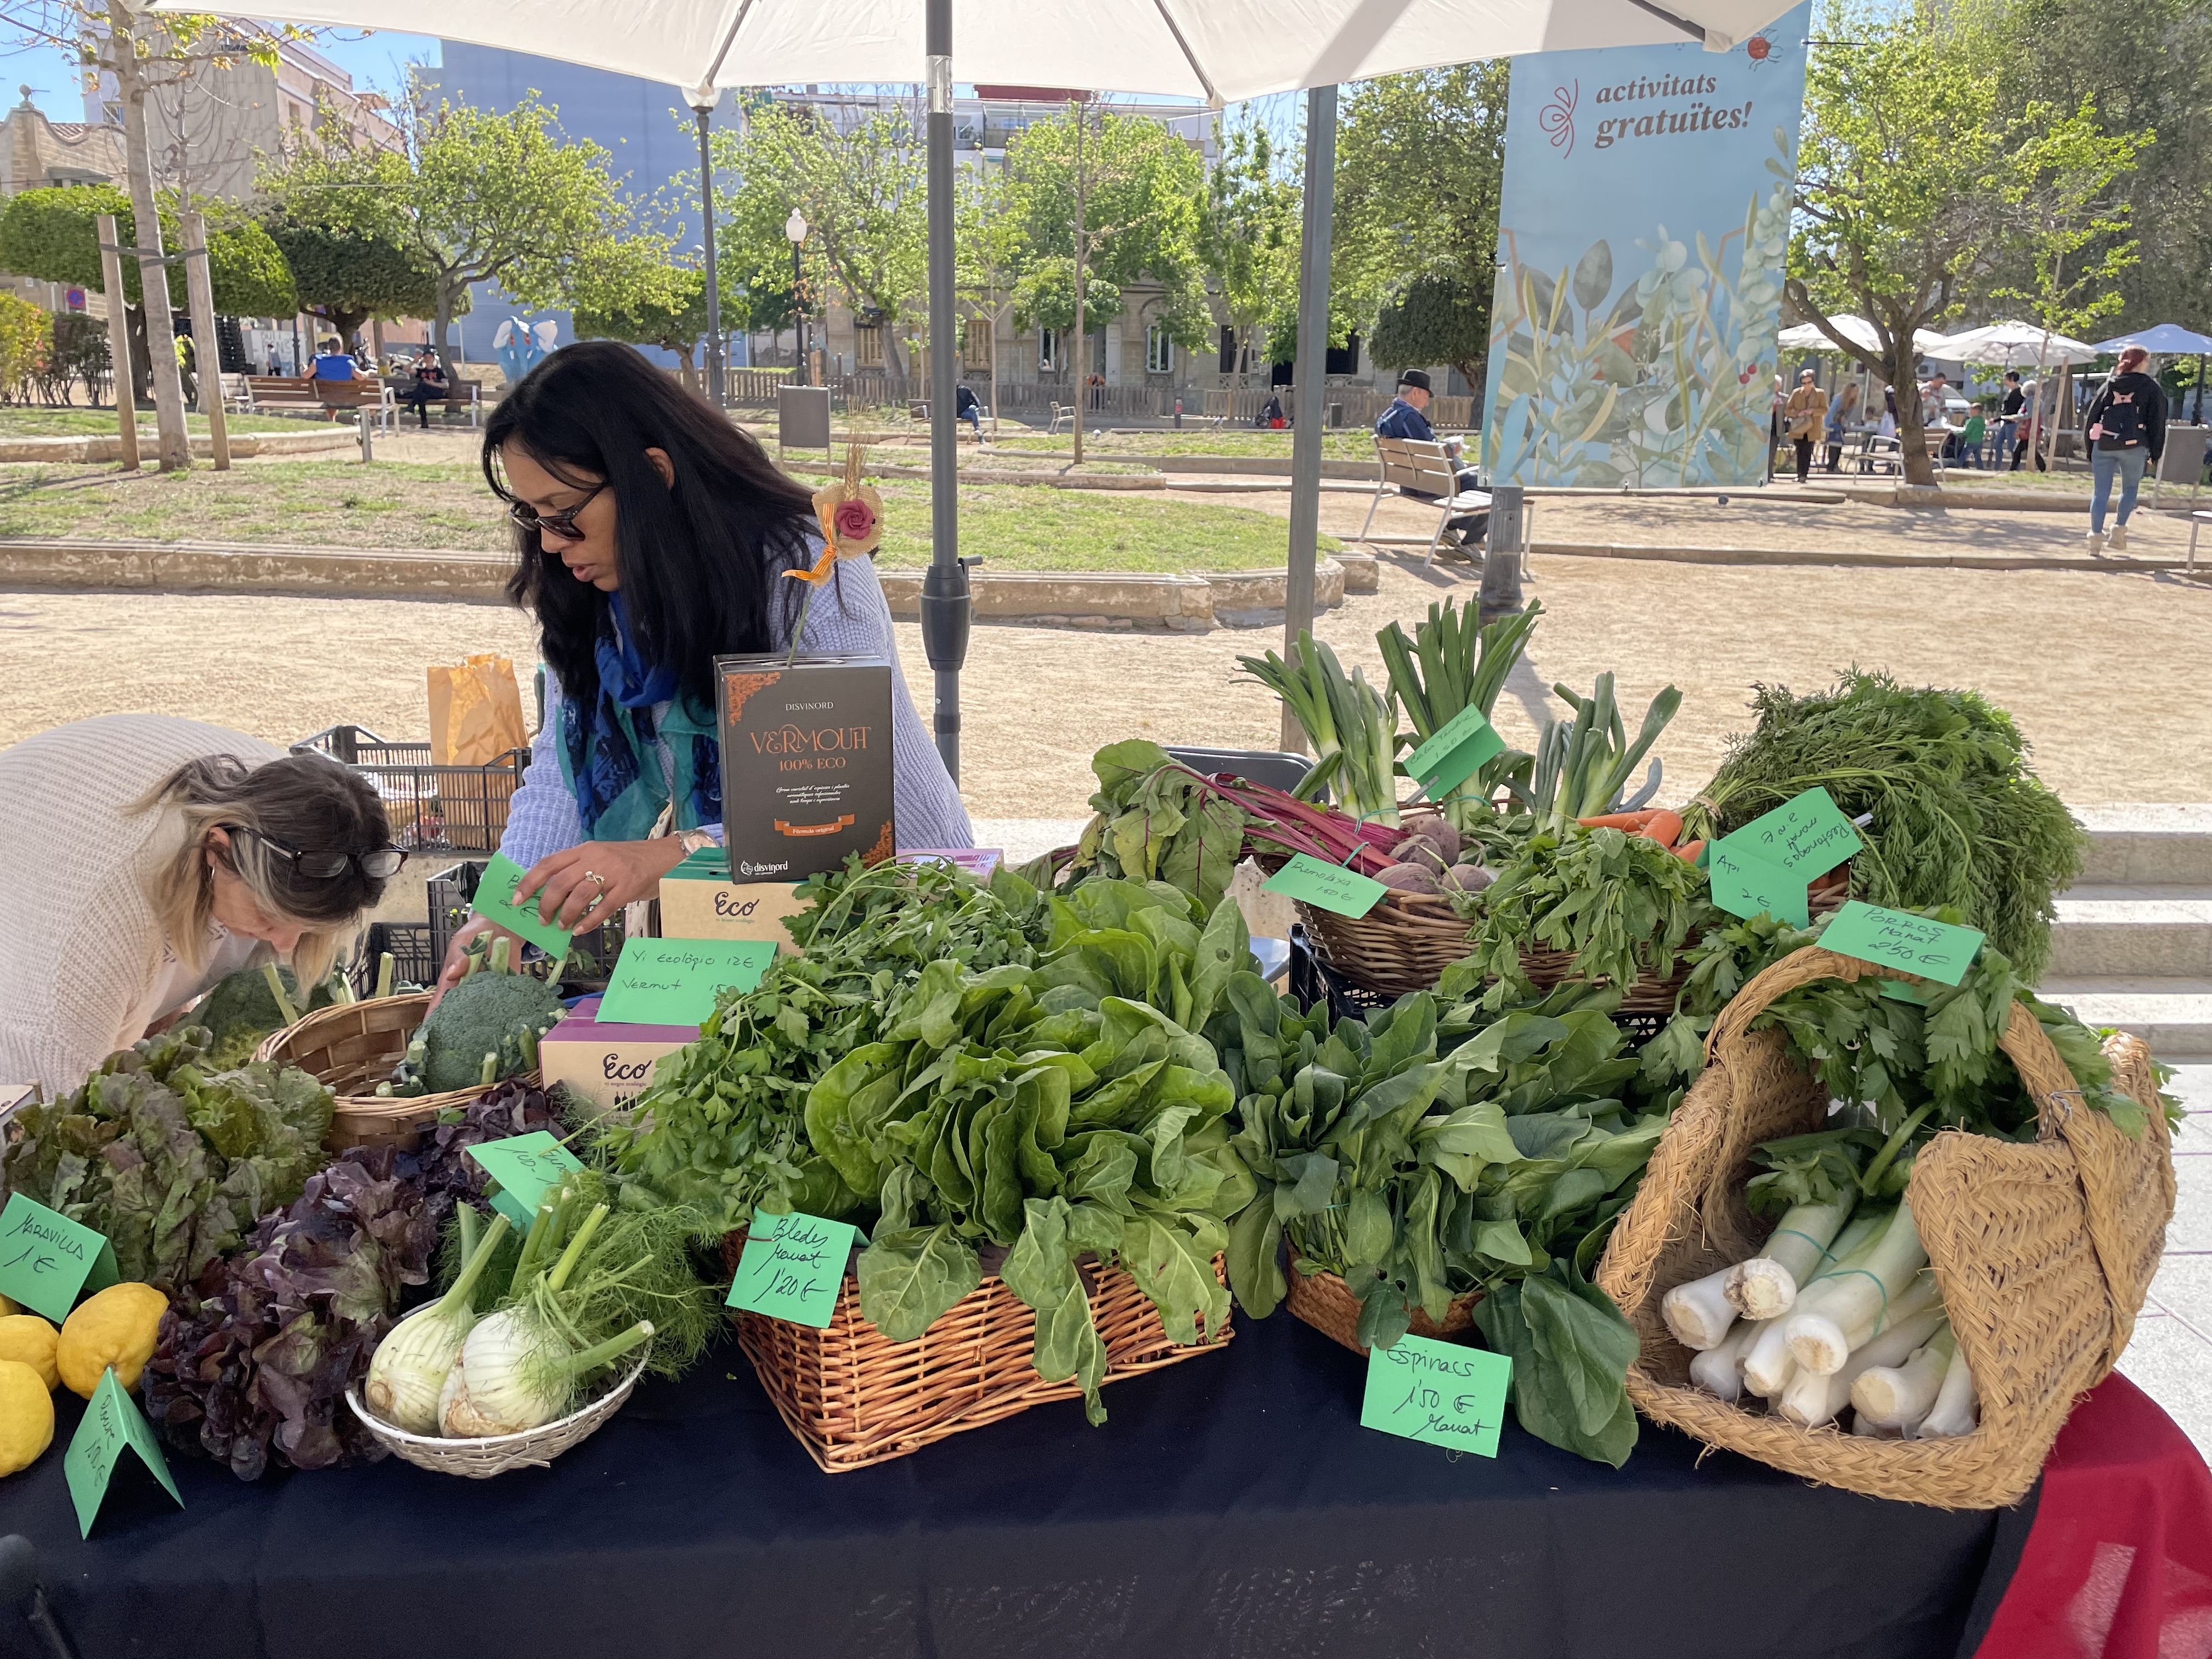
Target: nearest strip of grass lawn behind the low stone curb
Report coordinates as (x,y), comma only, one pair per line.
(446,505)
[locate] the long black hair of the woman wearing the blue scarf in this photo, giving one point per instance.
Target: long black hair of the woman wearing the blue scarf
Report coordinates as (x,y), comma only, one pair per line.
(700,561)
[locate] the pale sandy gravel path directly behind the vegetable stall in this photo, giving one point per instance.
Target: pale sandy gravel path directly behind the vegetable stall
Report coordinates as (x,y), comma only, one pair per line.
(2094,667)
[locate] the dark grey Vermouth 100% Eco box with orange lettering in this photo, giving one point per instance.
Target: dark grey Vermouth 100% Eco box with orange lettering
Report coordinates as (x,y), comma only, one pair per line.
(806,764)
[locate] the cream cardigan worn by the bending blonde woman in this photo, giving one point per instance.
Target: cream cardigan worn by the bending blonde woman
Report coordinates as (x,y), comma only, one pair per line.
(85,966)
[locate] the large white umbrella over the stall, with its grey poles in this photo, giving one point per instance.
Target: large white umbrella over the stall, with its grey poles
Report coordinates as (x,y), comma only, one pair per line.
(1209,50)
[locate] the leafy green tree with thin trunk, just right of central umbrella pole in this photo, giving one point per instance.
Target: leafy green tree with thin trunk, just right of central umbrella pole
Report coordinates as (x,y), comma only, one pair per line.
(1118,198)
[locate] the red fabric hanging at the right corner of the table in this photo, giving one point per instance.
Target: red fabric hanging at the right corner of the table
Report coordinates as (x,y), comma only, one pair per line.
(2120,1558)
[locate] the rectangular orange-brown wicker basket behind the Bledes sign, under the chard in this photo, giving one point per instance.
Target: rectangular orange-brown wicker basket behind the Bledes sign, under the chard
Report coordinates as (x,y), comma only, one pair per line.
(859,1399)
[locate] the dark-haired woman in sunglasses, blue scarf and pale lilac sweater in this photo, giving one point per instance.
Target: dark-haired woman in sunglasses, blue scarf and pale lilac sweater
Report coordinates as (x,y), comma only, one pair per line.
(654,536)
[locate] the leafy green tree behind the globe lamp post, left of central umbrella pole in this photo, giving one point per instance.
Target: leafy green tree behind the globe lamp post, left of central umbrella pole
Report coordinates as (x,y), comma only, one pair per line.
(862,196)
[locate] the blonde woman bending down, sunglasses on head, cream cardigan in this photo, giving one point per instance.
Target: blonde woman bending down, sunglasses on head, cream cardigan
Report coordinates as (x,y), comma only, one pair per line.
(160,855)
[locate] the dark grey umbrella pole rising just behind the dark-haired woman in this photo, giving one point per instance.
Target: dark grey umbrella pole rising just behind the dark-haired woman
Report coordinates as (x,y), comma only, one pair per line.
(946,587)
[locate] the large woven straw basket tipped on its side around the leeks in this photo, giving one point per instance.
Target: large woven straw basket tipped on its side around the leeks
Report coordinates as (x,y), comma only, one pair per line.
(2043,1253)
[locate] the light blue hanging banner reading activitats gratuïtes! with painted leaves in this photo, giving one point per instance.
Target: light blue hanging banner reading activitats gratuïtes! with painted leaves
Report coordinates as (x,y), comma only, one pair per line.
(1640,262)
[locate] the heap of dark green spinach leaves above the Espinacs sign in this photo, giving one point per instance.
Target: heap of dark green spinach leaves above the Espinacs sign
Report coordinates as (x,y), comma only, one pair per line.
(1421,1176)
